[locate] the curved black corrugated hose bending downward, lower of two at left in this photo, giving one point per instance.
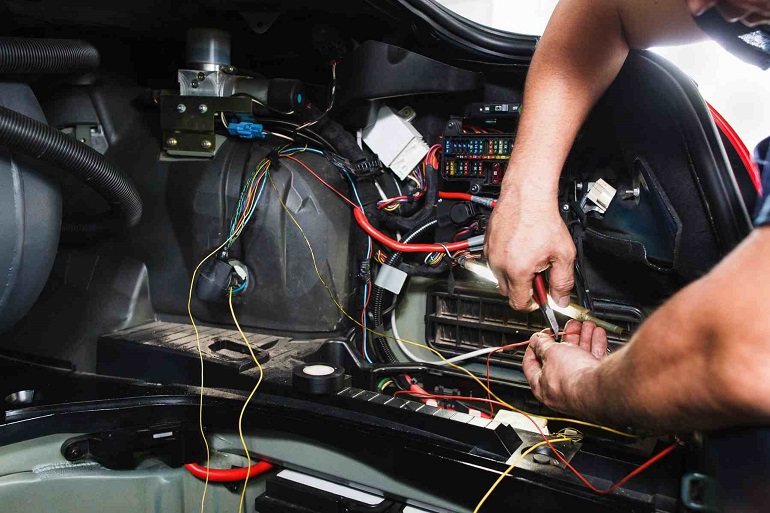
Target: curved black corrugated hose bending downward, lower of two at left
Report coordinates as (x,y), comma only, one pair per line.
(38,140)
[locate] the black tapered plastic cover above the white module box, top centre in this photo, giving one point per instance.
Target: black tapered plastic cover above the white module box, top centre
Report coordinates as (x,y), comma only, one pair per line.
(379,70)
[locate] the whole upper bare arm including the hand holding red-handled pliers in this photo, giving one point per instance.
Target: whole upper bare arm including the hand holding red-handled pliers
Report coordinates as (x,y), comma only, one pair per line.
(579,55)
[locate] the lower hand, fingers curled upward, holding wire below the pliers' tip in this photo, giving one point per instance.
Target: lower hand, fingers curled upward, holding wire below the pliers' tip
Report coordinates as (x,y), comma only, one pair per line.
(554,369)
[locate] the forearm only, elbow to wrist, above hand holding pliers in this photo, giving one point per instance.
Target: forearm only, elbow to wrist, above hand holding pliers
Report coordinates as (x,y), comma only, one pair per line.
(579,55)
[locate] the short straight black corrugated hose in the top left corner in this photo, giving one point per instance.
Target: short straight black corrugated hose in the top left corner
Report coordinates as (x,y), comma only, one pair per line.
(23,56)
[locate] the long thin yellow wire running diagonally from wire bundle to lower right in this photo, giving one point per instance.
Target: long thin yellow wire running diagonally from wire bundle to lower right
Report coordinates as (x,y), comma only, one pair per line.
(462,369)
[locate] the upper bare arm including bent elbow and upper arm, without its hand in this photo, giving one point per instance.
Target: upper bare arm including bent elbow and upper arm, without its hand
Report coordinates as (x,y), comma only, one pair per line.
(580,54)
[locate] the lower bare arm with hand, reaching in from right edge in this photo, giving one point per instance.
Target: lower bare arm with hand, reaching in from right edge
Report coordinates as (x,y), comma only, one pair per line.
(700,362)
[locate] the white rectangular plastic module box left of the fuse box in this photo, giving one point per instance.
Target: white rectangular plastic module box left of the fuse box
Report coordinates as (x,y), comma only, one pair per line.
(396,142)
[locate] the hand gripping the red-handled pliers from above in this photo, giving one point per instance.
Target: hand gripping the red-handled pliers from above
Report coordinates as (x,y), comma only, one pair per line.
(526,236)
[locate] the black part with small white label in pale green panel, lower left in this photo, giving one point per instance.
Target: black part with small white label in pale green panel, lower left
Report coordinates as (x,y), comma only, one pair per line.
(174,444)
